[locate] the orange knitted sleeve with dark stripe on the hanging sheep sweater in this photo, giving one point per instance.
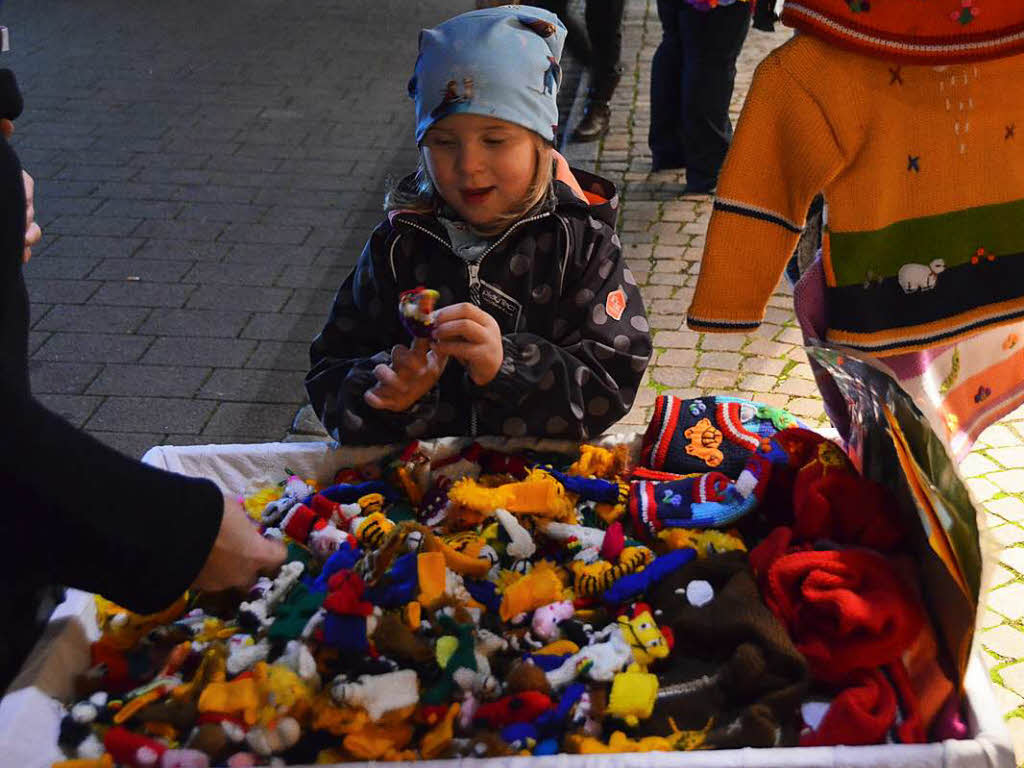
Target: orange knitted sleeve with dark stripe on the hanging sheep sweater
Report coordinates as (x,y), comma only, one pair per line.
(785,152)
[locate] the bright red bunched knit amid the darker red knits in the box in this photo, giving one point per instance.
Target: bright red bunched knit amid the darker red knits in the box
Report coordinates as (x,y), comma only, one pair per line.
(846,611)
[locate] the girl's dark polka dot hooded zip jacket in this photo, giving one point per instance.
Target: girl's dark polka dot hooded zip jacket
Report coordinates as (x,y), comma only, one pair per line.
(574,328)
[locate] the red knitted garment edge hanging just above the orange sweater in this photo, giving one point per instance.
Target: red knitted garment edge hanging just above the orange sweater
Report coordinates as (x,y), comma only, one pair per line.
(914,32)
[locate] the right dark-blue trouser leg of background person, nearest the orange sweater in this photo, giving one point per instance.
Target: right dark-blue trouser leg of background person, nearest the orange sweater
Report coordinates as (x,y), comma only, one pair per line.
(712,41)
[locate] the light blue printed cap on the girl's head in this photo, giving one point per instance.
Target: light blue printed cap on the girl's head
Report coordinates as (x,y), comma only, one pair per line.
(500,63)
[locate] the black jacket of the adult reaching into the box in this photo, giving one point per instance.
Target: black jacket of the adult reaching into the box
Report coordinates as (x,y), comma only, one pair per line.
(74,511)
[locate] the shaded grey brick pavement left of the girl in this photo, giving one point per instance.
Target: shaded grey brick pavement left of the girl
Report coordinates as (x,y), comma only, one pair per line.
(207,174)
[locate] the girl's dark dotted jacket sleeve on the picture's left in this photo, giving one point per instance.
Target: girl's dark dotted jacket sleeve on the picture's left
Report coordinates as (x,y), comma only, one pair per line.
(360,334)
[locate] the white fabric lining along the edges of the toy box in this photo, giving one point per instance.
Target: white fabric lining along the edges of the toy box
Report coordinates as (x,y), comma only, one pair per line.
(30,713)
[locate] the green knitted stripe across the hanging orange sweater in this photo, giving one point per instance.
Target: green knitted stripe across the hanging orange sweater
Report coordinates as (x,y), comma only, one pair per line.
(955,238)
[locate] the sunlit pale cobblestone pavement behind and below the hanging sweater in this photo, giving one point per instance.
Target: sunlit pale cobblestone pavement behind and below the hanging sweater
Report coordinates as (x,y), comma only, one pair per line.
(664,238)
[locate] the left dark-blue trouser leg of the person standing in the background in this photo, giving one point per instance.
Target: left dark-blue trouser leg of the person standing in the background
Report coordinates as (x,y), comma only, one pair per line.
(666,135)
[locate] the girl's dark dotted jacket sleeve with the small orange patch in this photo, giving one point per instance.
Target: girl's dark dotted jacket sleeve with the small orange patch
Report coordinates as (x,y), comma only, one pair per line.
(586,377)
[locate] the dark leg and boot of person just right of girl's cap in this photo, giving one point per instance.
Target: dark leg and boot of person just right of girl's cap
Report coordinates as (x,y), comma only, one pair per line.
(605,27)
